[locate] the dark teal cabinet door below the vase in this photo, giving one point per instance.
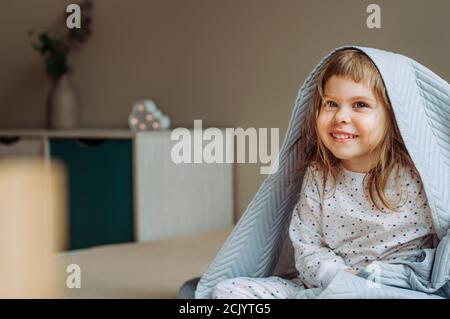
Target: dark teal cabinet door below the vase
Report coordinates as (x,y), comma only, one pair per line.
(100,189)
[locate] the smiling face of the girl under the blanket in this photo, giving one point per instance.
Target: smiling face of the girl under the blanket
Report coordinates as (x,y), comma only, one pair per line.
(351,123)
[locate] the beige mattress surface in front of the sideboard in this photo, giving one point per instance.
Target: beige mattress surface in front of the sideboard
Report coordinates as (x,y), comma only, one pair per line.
(152,269)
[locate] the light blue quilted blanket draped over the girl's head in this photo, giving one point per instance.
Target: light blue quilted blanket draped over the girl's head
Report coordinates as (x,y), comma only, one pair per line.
(257,245)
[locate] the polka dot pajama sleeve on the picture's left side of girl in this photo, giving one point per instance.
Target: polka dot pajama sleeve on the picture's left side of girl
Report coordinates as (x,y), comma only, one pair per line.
(316,263)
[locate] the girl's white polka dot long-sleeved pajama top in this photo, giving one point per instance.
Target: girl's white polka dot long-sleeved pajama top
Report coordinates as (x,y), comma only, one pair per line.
(341,230)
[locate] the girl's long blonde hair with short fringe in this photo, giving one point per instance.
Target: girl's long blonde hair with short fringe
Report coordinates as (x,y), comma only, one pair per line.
(357,66)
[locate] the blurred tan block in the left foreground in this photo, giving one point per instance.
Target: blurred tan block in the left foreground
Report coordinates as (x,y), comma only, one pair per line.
(32,228)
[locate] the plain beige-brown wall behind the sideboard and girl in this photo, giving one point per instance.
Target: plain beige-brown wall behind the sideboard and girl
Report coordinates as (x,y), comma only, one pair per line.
(231,63)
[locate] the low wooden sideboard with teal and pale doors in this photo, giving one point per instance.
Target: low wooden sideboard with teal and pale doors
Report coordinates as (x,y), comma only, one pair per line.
(123,186)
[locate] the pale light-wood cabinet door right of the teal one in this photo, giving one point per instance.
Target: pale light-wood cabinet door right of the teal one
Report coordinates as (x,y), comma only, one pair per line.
(179,199)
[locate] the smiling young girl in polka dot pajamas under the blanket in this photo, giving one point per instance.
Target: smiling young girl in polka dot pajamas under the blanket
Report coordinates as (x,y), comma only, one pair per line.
(361,200)
